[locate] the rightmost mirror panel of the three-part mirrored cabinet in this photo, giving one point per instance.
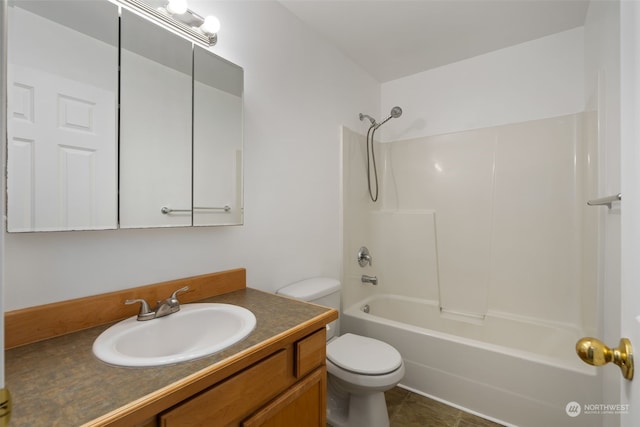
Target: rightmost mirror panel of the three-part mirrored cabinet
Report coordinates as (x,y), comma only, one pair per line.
(217,140)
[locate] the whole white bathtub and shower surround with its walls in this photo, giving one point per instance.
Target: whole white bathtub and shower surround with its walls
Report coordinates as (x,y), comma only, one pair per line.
(492,226)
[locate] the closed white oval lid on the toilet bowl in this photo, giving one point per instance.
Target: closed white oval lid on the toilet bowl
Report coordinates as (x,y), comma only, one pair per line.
(363,355)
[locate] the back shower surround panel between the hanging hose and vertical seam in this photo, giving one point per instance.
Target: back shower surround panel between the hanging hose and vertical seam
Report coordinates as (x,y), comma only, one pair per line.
(460,190)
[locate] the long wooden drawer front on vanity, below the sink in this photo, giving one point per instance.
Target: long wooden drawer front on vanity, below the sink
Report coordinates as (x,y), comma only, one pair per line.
(226,402)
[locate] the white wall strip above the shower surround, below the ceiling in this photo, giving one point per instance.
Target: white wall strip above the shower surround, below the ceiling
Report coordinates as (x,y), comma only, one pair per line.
(530,81)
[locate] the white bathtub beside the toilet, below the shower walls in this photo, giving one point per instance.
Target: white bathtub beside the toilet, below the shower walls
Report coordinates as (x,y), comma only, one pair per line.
(510,369)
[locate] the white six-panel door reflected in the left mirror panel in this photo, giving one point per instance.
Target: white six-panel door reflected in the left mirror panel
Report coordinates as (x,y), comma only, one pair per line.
(62,148)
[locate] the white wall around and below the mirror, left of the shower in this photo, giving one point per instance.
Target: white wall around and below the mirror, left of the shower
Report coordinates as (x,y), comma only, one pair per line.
(298,91)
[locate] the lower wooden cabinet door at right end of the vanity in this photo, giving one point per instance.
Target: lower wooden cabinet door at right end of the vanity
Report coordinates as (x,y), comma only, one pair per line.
(303,405)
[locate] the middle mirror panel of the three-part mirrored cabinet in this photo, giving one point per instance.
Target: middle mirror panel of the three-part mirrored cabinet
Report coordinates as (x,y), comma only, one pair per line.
(155,125)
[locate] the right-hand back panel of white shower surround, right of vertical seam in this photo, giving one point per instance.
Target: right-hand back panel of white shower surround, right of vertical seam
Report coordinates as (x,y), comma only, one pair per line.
(536,247)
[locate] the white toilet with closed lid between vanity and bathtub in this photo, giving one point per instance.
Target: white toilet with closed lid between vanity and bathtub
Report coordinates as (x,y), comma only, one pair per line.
(360,369)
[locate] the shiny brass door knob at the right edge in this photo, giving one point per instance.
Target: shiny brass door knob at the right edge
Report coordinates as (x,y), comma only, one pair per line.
(594,352)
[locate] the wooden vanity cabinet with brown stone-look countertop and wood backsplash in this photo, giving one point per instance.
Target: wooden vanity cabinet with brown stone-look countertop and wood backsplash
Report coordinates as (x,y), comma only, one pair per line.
(277,377)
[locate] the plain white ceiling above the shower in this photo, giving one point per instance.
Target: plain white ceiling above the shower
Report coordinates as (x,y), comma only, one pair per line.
(396,38)
